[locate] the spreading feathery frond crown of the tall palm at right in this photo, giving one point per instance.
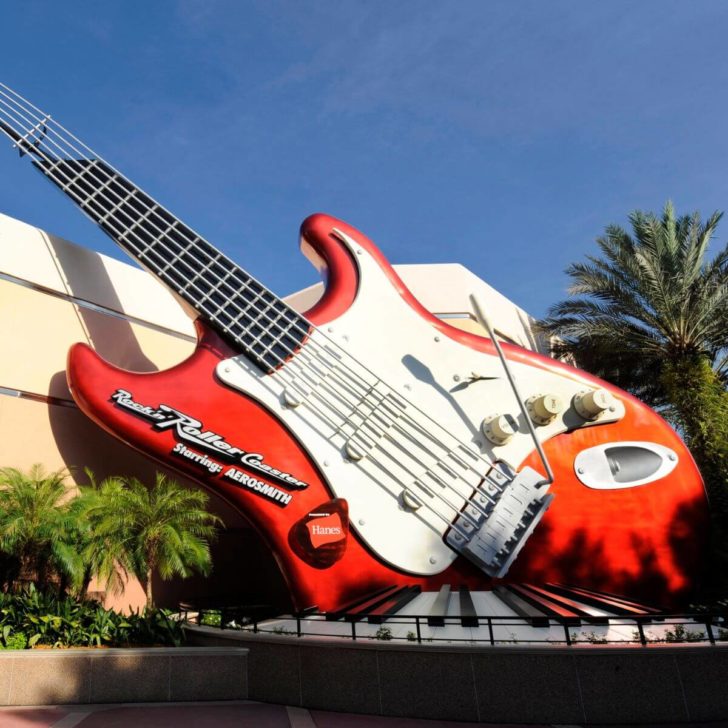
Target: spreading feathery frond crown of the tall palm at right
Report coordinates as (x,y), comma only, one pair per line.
(649,296)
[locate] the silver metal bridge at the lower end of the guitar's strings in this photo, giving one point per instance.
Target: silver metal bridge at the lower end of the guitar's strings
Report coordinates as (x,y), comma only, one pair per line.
(498,519)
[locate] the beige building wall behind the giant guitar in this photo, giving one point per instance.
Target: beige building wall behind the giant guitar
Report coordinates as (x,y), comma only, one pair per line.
(54,293)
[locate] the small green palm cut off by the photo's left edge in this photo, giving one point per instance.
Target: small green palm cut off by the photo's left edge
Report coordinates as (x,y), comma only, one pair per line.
(37,525)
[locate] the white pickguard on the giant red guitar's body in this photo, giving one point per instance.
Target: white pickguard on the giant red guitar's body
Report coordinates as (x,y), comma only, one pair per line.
(405,356)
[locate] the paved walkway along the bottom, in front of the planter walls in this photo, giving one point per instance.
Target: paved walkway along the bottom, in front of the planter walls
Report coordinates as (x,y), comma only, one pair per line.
(228,715)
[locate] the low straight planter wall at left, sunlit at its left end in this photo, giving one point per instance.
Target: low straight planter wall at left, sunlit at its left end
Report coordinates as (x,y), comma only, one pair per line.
(54,677)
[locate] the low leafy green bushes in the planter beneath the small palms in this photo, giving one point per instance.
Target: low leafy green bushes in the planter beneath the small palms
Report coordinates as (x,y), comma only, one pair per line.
(47,619)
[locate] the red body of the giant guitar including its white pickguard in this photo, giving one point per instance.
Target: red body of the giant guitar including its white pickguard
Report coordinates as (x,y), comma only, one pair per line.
(335,531)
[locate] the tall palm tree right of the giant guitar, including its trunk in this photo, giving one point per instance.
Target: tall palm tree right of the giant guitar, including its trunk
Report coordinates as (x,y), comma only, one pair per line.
(651,315)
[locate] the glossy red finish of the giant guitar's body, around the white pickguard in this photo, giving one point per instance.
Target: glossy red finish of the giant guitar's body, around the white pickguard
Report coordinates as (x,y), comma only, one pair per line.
(644,541)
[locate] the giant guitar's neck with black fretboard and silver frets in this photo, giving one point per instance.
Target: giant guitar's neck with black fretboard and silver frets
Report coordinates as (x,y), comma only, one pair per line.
(240,308)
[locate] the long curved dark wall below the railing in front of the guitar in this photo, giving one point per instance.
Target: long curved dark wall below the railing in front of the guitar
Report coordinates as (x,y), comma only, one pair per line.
(590,684)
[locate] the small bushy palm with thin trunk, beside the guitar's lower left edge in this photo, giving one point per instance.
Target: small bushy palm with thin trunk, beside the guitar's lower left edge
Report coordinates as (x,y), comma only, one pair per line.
(164,529)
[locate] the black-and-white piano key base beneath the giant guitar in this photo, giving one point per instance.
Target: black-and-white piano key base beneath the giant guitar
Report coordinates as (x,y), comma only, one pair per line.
(551,614)
